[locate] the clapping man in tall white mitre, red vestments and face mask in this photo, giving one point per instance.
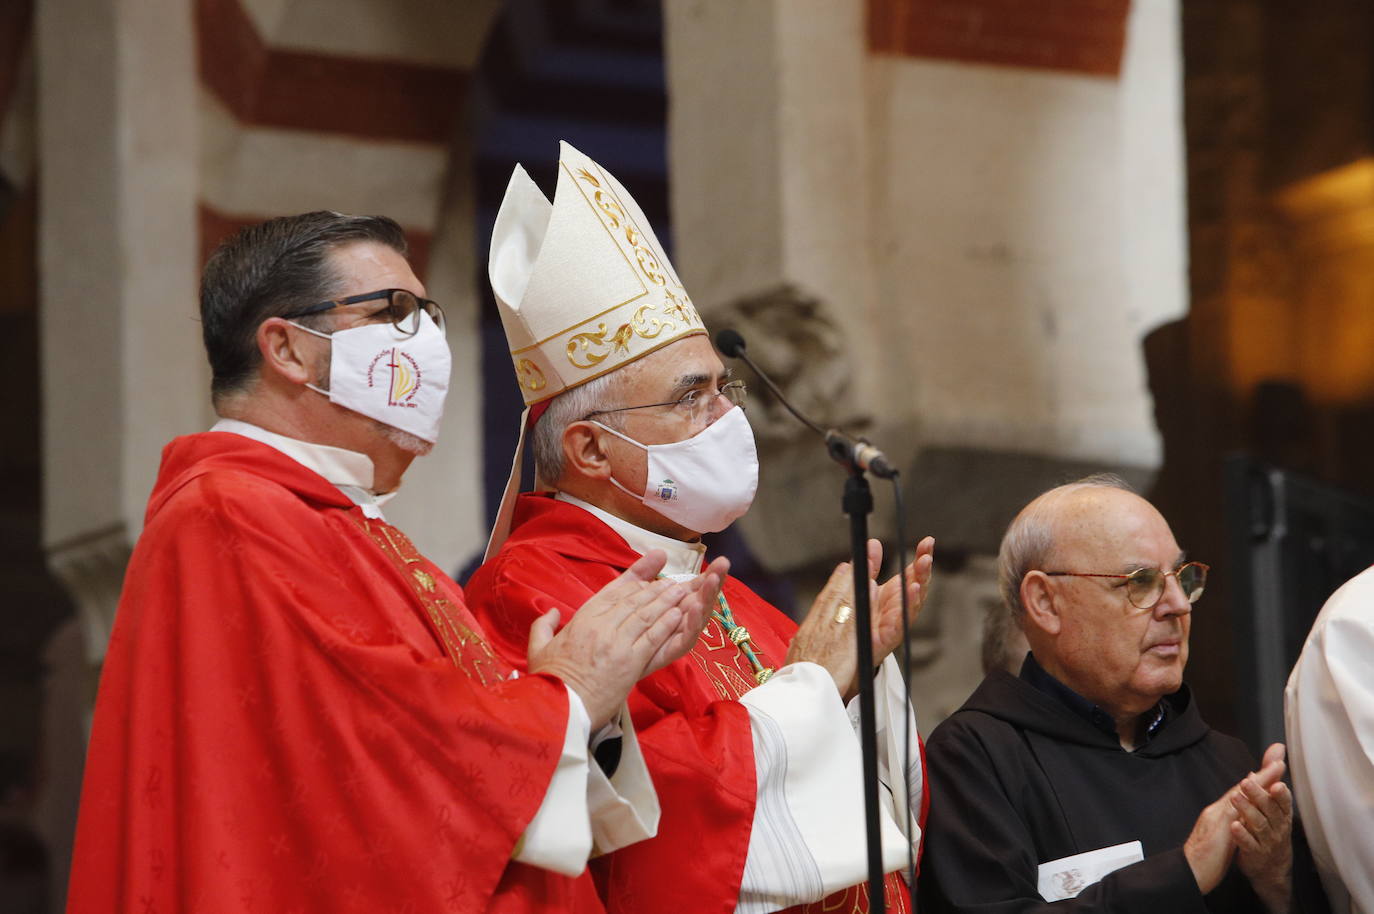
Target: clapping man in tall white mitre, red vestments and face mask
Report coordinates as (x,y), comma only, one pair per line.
(641,442)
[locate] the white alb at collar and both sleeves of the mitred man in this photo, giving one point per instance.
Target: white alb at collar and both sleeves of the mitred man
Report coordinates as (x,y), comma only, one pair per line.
(804,845)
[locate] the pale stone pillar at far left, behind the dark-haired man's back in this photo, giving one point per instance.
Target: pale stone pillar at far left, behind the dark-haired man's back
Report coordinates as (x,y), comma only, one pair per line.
(123,366)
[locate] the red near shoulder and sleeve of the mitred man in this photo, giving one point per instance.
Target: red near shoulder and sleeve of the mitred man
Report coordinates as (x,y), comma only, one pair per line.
(699,748)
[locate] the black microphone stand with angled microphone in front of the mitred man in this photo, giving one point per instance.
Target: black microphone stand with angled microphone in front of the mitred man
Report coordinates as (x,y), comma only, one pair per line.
(857,504)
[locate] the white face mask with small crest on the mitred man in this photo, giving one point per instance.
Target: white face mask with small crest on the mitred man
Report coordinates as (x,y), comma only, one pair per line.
(706,483)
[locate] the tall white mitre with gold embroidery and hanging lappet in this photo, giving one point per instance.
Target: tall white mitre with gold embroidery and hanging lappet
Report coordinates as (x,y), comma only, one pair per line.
(583,288)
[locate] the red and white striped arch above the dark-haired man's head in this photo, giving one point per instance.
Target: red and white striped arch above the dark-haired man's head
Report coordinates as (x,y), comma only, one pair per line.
(348,105)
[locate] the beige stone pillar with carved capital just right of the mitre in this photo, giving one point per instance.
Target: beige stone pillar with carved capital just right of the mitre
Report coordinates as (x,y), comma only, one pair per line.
(769,149)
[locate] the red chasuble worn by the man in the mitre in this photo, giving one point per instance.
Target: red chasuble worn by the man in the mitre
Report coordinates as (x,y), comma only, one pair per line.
(696,737)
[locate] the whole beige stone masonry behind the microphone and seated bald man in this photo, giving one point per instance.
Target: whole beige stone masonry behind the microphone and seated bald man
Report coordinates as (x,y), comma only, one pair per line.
(954,254)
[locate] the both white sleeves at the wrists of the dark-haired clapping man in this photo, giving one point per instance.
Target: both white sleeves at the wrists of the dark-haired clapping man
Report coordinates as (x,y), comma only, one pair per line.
(583,809)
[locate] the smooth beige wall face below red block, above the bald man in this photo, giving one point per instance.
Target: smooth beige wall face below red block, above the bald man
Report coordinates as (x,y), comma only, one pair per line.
(1031,233)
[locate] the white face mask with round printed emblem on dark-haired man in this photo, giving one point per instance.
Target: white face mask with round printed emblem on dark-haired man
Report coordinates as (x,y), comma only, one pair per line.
(381,373)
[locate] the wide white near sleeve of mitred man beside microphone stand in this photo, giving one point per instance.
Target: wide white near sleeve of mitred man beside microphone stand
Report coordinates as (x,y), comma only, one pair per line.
(809,835)
